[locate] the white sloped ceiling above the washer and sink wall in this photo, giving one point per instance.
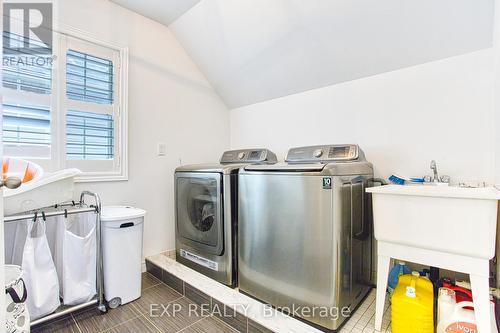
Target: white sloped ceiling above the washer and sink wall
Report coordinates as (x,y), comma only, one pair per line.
(256,50)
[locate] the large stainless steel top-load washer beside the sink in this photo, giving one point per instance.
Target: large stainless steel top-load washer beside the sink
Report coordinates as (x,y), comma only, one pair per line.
(304,232)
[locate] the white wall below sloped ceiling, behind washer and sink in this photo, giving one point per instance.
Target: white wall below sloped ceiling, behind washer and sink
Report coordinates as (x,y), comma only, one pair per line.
(402,119)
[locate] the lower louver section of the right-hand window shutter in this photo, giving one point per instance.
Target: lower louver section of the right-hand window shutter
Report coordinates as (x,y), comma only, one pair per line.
(89,136)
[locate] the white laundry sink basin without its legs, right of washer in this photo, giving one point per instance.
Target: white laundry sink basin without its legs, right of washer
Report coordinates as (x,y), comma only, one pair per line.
(442,218)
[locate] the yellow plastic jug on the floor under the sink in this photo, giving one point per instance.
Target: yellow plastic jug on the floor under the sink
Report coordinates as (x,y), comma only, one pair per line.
(413,305)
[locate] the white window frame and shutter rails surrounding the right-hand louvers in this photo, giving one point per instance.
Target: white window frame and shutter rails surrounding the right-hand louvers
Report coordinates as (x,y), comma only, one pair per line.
(60,104)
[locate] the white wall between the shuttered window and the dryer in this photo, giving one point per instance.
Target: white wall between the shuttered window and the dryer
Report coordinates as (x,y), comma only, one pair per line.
(169,101)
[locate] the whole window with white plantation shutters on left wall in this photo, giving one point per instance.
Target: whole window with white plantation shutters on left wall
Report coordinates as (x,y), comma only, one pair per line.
(69,112)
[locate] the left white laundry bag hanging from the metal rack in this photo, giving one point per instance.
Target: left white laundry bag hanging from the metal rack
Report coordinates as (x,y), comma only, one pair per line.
(39,272)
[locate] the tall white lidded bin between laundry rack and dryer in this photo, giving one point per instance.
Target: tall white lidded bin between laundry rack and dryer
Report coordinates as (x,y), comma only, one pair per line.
(122,230)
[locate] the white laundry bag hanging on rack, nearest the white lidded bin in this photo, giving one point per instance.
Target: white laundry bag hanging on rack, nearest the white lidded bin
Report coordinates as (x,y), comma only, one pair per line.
(75,254)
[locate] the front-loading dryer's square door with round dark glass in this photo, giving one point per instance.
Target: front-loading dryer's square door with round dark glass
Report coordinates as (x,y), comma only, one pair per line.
(199,209)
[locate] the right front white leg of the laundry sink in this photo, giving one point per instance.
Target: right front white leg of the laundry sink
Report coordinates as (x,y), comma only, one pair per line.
(482,309)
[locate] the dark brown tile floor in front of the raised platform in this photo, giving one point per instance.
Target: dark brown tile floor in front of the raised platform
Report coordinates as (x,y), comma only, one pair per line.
(135,317)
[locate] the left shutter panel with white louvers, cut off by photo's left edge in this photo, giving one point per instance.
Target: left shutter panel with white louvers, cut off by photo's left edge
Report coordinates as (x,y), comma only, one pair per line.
(26,118)
